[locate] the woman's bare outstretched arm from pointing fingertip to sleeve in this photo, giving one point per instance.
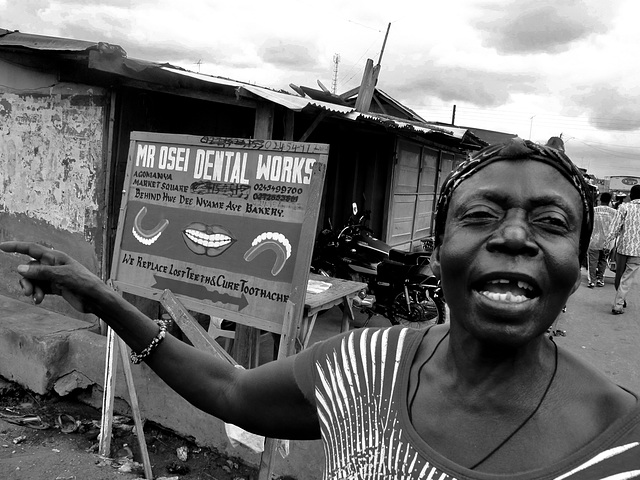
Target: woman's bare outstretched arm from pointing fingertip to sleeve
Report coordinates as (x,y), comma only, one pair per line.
(265,400)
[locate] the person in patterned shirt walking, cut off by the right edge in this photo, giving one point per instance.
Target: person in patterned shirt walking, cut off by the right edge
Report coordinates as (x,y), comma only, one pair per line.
(626,229)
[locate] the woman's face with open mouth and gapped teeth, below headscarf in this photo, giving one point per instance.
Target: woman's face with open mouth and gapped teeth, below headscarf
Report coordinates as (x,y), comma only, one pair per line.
(509,256)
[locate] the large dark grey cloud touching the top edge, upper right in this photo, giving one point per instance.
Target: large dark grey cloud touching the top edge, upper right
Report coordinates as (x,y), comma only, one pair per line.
(544,26)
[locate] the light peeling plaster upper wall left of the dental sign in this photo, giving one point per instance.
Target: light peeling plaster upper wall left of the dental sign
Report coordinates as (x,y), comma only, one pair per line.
(51,152)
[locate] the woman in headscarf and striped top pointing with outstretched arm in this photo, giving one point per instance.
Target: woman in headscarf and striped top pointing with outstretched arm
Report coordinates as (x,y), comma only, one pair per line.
(487,395)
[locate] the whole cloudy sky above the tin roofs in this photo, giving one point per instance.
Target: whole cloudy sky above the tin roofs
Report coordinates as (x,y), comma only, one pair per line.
(533,68)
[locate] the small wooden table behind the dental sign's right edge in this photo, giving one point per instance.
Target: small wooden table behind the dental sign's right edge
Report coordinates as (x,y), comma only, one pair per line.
(341,292)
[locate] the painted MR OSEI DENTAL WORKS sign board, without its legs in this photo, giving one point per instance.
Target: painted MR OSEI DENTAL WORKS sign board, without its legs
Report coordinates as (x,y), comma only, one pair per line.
(218,222)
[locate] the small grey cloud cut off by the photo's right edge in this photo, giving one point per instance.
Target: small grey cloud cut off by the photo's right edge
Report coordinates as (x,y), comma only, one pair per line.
(609,109)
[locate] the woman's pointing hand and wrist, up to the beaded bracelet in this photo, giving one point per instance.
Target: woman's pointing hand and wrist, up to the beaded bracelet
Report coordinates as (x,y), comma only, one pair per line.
(51,272)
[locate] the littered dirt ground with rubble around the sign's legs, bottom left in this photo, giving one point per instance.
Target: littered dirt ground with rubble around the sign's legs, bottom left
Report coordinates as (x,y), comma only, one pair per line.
(34,445)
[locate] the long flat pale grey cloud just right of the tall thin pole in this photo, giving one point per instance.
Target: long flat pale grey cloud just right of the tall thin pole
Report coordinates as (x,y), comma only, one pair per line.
(453,83)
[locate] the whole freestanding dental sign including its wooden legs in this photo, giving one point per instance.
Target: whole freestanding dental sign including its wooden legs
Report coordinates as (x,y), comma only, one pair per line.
(253,199)
